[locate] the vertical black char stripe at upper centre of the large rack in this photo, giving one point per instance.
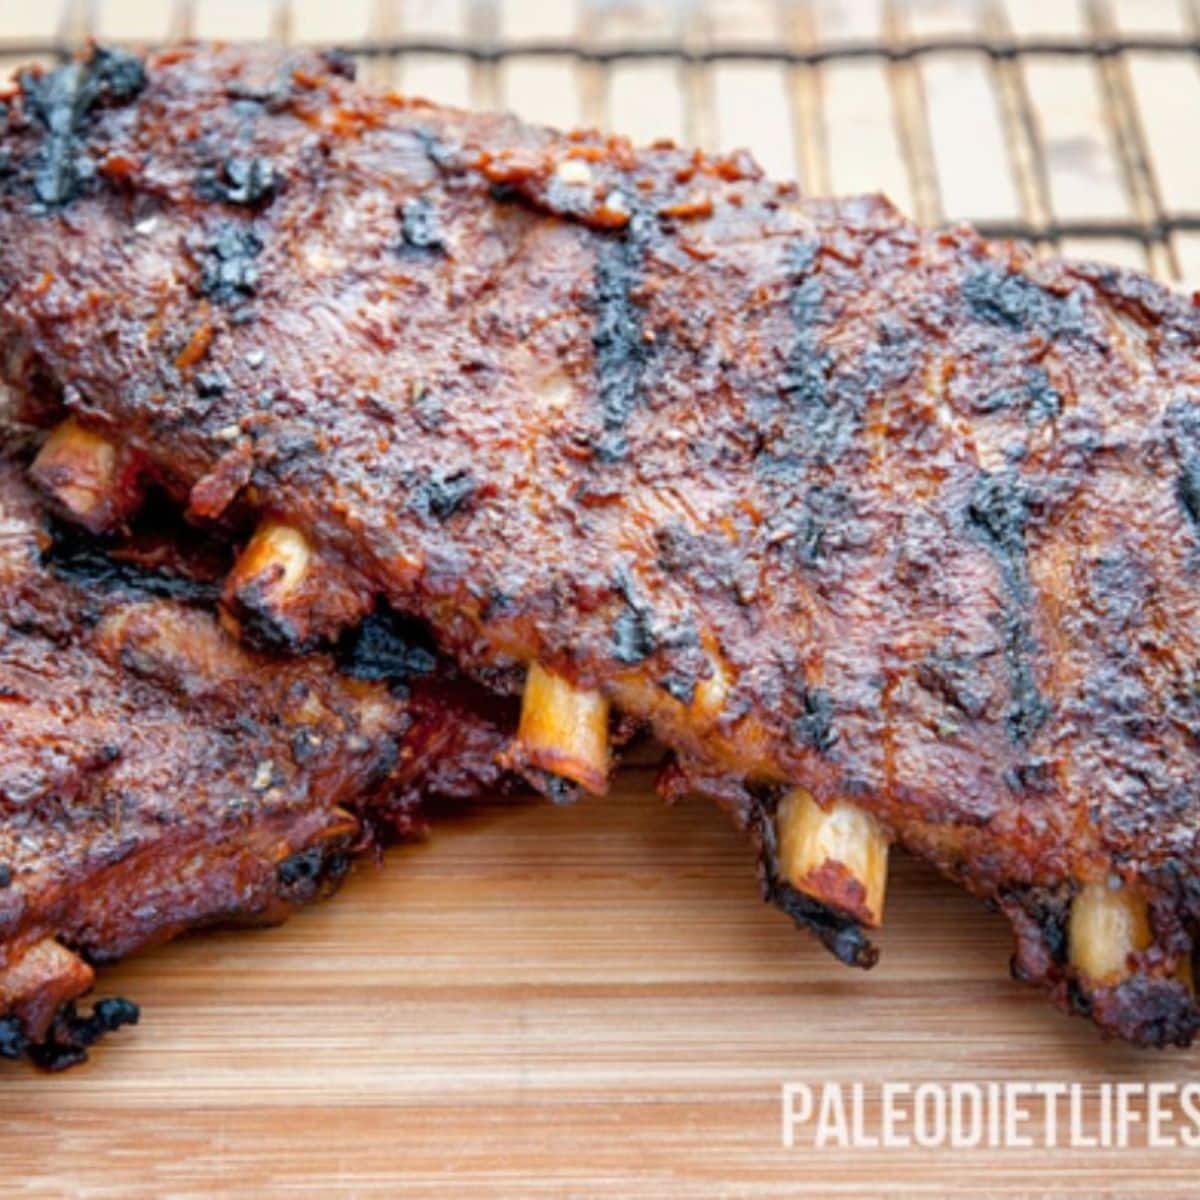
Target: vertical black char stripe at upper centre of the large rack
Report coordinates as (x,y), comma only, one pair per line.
(617,338)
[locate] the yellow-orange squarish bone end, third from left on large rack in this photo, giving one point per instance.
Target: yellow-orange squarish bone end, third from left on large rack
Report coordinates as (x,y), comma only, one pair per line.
(563,731)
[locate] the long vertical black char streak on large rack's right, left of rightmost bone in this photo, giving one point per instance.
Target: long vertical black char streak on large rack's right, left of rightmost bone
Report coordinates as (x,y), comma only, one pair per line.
(999,512)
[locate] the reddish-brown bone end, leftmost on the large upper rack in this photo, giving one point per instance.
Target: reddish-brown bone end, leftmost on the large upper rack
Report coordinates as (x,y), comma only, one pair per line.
(95,483)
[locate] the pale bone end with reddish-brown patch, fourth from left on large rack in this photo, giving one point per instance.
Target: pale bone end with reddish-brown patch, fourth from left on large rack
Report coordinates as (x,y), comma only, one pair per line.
(838,856)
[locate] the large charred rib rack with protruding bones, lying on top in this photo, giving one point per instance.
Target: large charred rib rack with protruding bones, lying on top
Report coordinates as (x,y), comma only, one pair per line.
(890,535)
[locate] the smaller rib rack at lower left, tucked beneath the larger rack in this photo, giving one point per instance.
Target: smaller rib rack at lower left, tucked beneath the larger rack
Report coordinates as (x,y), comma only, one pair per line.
(157,777)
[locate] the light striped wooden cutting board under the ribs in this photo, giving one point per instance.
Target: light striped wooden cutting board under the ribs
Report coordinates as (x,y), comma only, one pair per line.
(547,1003)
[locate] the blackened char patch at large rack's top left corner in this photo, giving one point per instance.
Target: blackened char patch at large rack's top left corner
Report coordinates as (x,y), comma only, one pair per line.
(61,103)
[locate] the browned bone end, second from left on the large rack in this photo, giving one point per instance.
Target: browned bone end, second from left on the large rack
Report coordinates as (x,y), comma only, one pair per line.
(284,593)
